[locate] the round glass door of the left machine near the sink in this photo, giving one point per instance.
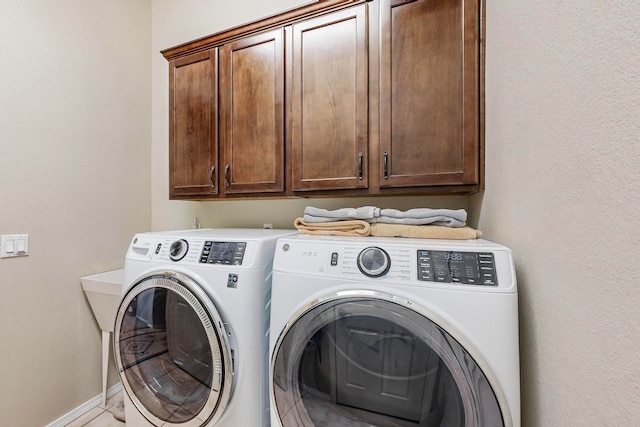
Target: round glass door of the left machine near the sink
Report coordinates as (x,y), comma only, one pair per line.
(172,351)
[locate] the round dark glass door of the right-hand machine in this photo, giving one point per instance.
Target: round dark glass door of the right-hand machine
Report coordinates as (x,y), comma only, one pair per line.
(370,359)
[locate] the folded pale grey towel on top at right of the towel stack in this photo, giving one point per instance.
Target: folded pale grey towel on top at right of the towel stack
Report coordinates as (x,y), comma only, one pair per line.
(424,216)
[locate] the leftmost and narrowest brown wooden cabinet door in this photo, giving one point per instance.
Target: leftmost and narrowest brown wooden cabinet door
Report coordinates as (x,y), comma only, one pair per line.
(193,125)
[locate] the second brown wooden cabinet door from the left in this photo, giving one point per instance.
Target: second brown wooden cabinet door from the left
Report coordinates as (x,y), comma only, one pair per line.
(252,103)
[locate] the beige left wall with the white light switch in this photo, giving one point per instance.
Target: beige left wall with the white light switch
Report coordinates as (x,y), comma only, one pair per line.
(74,174)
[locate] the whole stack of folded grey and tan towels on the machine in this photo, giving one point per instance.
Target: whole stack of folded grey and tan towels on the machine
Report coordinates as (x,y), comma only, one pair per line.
(372,221)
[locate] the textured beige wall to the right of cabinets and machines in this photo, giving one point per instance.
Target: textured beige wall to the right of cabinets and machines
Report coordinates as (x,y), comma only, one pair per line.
(563,191)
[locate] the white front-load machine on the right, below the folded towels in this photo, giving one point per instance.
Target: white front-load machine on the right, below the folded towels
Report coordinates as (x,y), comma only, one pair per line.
(395,332)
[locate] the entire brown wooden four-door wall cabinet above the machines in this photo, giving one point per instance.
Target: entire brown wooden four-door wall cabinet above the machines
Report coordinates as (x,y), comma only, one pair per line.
(343,97)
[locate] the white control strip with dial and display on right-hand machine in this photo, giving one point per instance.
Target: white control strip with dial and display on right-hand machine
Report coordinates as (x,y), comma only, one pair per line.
(471,264)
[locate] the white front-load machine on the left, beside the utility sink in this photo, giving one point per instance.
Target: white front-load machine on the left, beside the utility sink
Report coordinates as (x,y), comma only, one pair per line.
(192,330)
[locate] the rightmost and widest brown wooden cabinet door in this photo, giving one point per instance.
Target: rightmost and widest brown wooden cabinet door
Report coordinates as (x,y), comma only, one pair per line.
(429,92)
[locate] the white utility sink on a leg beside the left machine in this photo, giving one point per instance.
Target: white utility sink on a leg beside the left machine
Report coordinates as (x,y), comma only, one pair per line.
(104,291)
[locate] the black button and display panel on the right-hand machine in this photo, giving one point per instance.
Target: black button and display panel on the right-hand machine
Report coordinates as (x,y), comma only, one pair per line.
(469,268)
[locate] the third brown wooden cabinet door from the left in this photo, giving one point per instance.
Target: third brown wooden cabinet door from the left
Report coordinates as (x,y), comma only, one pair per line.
(329,101)
